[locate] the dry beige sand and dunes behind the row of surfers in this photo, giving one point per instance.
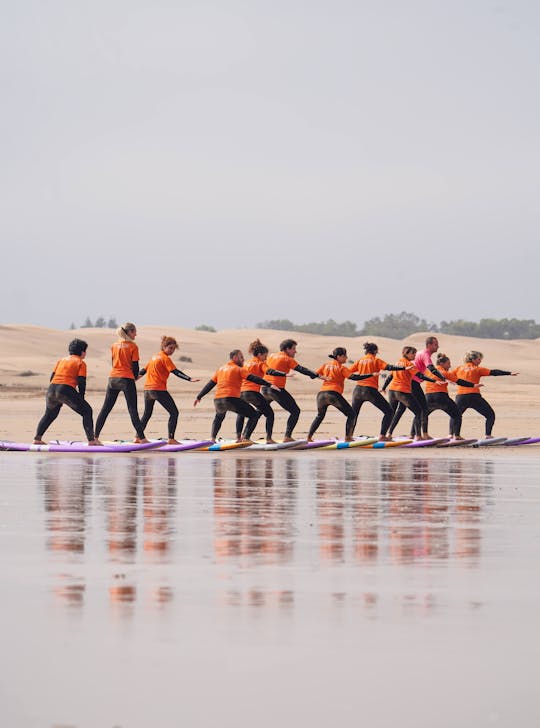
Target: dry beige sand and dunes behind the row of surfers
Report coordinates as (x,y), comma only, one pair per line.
(25,349)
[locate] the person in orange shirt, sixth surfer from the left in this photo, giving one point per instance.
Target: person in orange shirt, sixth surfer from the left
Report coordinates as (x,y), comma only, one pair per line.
(284,361)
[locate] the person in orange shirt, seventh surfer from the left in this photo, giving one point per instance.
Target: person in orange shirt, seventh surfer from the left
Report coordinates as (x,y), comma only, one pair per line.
(335,374)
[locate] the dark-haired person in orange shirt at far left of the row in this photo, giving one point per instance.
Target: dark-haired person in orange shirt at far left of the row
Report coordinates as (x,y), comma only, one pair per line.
(69,375)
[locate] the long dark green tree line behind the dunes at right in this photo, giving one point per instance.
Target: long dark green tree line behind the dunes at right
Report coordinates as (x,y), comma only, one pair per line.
(401,325)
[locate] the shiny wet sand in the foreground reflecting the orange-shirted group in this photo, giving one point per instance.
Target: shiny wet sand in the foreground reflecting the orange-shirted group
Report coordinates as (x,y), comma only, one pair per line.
(385,589)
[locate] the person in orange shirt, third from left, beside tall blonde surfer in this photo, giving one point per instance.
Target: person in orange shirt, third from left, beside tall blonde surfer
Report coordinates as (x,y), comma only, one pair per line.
(155,389)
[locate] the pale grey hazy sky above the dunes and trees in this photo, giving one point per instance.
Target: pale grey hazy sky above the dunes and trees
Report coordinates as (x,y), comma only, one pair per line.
(226,163)
